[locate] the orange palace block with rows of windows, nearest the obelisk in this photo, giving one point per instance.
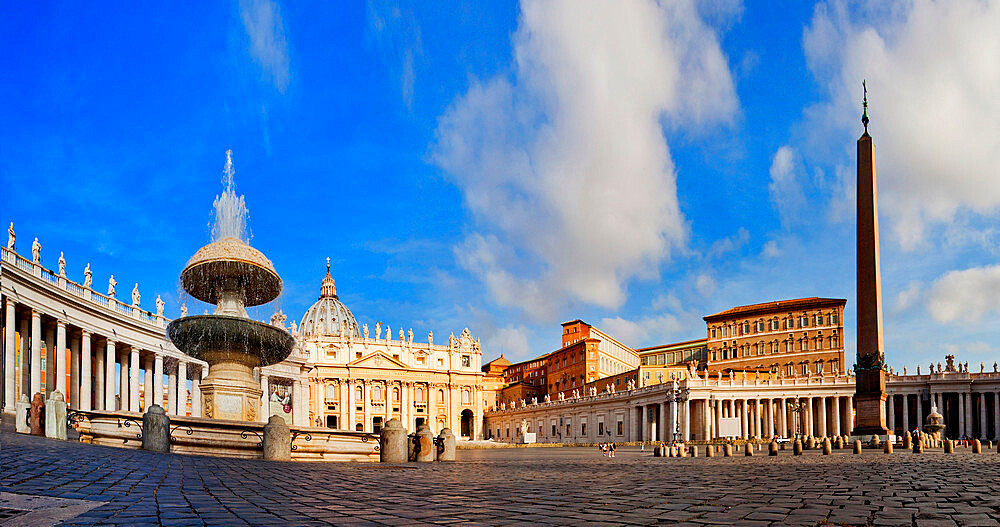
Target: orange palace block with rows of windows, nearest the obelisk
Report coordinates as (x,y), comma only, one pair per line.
(801,336)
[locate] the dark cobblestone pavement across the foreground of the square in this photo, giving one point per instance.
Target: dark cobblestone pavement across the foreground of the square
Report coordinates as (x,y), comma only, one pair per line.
(540,486)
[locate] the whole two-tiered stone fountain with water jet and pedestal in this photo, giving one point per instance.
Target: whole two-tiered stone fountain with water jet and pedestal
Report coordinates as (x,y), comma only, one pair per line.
(232,275)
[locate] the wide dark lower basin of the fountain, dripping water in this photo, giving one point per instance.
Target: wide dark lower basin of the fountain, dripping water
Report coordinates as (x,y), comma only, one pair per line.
(210,337)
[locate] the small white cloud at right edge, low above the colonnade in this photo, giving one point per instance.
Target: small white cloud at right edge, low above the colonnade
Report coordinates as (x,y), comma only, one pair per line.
(965,295)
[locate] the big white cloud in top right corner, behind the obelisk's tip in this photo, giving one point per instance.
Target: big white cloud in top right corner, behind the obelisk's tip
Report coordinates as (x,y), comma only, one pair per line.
(933,78)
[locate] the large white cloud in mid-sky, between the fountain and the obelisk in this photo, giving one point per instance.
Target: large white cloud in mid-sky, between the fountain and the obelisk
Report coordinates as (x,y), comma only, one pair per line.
(564,164)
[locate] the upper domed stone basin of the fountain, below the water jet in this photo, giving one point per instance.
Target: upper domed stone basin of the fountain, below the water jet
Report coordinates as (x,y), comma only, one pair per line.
(230,265)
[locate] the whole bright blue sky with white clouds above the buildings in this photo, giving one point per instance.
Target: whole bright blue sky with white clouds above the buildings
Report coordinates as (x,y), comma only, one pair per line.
(507,167)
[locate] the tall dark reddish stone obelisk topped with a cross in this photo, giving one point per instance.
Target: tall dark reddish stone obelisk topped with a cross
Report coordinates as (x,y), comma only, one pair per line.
(870,388)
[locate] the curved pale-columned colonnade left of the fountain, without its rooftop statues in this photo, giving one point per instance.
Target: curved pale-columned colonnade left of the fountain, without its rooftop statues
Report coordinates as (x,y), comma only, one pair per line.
(44,352)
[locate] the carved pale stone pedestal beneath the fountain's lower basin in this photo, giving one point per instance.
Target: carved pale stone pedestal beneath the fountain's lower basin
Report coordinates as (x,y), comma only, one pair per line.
(230,392)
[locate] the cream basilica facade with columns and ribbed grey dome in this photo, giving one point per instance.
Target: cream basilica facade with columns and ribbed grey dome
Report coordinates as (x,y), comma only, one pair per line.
(360,377)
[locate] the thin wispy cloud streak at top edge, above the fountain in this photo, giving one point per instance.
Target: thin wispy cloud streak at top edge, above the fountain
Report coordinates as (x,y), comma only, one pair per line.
(263,24)
